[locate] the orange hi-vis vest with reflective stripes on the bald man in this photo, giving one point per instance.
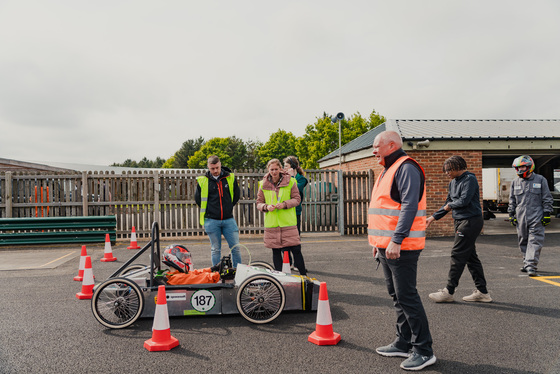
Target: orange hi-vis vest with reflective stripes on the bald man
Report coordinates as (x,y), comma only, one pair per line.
(383,213)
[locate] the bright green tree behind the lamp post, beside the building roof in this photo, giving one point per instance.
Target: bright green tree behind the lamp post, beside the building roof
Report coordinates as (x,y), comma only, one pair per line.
(321,138)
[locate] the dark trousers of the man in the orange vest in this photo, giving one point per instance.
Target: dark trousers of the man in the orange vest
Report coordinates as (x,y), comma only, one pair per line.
(413,331)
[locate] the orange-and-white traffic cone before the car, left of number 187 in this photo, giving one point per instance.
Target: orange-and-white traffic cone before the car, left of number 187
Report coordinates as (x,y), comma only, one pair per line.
(161,334)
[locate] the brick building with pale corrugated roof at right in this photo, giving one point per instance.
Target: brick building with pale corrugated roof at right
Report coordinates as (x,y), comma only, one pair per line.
(482,143)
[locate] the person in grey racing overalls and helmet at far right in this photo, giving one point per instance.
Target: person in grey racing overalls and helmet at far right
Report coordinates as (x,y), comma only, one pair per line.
(530,207)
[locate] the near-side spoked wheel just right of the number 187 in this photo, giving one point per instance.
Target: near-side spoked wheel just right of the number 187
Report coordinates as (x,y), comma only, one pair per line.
(261,298)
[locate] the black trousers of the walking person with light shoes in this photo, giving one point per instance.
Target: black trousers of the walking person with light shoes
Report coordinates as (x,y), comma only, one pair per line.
(464,253)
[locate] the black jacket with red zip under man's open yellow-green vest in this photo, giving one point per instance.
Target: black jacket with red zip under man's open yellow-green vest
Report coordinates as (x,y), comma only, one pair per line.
(220,204)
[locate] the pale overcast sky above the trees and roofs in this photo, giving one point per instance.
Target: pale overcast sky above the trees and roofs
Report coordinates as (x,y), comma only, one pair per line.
(97,82)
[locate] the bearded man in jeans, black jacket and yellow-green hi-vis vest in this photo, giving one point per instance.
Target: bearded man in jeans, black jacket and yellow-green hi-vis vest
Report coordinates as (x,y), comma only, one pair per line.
(216,194)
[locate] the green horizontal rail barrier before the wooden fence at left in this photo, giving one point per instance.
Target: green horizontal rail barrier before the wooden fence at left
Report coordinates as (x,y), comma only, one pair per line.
(57,230)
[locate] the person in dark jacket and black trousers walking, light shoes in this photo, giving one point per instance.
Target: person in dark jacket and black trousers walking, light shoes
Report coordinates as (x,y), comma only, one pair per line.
(463,200)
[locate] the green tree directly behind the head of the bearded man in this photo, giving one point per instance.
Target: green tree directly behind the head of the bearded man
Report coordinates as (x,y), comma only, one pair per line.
(231,151)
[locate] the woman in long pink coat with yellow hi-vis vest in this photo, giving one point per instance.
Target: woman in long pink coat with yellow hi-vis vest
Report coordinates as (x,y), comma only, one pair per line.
(278,198)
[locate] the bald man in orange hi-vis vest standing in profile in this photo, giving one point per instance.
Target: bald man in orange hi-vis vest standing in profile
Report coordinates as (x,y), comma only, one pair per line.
(396,230)
